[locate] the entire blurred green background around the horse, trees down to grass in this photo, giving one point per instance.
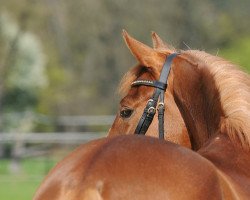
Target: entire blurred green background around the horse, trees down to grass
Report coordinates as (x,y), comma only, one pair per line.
(62,61)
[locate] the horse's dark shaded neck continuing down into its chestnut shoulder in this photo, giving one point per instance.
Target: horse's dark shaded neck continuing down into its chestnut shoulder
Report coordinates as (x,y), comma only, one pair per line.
(198,100)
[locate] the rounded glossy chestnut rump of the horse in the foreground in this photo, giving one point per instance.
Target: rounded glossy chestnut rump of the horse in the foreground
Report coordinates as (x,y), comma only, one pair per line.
(131,167)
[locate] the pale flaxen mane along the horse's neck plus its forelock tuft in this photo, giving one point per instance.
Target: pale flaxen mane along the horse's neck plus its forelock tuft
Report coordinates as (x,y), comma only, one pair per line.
(234,89)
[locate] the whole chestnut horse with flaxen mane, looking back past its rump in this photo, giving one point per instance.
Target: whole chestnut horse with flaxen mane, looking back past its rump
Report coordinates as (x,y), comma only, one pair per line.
(207,105)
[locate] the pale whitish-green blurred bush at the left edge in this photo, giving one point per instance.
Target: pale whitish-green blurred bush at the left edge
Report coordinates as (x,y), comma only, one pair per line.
(23,70)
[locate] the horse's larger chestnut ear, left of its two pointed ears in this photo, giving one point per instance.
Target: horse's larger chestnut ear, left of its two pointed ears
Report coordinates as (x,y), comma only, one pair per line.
(143,53)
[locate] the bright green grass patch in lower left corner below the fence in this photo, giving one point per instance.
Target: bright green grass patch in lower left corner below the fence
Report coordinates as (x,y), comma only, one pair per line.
(23,184)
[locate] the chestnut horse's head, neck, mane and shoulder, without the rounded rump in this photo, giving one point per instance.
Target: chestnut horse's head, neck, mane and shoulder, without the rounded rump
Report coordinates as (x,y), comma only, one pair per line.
(213,97)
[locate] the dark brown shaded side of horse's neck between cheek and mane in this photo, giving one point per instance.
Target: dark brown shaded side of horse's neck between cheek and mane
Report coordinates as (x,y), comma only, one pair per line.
(197,98)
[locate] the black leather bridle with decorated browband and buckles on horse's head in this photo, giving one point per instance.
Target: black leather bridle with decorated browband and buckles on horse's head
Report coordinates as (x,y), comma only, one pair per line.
(157,98)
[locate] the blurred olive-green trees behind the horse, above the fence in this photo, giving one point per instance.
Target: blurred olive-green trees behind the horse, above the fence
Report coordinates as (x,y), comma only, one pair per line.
(80,47)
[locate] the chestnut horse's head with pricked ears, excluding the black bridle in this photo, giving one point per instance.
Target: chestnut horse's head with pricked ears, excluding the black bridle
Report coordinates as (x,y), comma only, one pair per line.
(134,99)
